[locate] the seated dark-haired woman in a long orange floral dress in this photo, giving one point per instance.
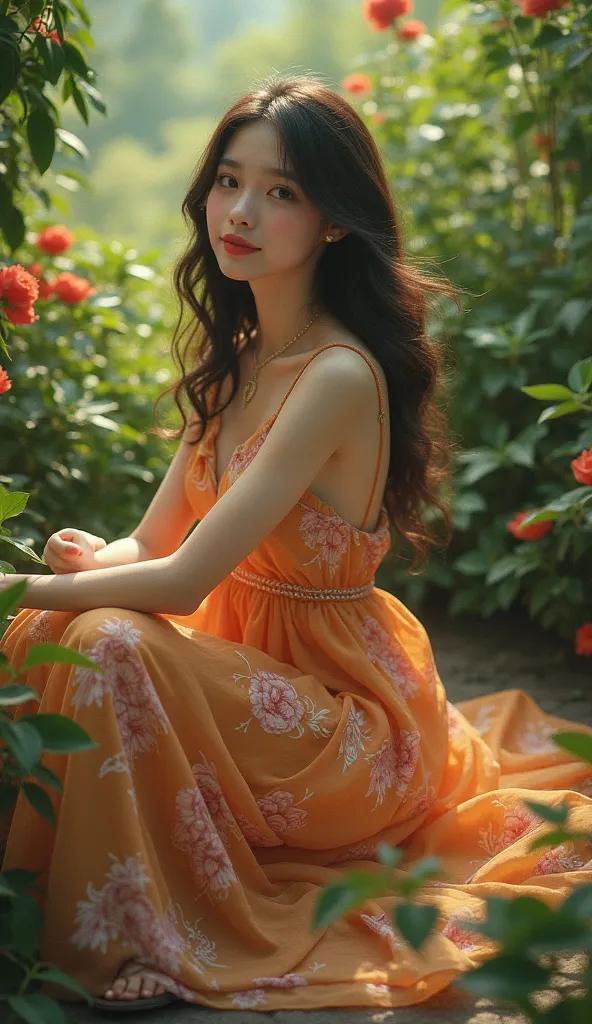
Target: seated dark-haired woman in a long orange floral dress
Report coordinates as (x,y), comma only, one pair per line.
(267,715)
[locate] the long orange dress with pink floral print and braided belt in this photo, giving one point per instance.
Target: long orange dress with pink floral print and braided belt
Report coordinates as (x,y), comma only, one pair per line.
(252,752)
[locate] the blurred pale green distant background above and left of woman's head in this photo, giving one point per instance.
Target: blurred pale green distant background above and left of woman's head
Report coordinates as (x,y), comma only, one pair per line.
(167,70)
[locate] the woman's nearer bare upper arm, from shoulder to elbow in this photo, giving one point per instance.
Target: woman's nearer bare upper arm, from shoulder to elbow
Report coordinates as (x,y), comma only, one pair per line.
(317,419)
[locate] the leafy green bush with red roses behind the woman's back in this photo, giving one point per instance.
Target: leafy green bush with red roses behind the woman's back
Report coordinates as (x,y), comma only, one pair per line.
(485,127)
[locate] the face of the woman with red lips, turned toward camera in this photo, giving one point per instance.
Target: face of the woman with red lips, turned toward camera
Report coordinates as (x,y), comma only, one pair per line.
(262,206)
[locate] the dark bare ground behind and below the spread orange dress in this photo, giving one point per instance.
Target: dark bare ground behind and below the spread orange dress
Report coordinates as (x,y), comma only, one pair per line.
(475,657)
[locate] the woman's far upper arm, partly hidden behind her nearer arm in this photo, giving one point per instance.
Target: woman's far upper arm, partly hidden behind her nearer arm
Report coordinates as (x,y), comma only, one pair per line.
(170,517)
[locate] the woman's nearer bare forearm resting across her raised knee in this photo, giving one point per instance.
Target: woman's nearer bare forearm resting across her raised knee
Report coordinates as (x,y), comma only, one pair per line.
(150,586)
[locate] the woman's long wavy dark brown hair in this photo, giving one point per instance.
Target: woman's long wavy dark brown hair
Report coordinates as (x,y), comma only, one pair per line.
(366,282)
